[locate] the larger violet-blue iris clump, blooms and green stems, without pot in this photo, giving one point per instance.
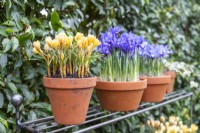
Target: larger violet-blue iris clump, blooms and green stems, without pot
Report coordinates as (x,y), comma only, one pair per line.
(120,60)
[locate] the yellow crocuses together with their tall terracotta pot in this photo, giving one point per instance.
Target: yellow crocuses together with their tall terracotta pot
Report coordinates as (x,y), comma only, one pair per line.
(69,84)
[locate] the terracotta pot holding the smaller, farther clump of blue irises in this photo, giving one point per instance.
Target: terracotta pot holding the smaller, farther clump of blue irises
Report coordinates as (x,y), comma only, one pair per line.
(156,88)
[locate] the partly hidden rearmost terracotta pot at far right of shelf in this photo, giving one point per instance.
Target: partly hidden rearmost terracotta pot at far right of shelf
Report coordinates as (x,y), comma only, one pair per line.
(171,85)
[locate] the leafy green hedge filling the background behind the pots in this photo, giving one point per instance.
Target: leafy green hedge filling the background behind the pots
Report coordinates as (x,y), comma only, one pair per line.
(176,23)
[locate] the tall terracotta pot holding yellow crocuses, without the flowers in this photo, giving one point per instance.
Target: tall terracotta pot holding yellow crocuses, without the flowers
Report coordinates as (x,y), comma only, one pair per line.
(69,98)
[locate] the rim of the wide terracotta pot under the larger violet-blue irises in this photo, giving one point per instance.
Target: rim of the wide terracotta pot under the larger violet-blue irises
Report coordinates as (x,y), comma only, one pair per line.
(122,86)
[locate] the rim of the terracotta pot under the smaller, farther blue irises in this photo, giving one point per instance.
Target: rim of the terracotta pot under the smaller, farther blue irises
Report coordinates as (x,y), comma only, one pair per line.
(164,79)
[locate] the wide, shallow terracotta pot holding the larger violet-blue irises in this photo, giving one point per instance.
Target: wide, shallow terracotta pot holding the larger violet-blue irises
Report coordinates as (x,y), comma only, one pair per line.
(120,96)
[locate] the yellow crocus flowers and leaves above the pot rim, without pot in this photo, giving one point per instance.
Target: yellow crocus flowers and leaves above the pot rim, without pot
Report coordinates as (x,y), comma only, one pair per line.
(67,56)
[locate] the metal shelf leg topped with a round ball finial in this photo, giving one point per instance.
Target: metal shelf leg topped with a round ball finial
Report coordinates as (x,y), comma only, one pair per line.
(17,100)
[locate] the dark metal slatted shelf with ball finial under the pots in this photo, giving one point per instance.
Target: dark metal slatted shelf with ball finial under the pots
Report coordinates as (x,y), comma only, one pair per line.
(95,115)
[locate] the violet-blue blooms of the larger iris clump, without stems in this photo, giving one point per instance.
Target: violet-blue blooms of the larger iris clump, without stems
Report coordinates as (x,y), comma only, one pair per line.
(126,42)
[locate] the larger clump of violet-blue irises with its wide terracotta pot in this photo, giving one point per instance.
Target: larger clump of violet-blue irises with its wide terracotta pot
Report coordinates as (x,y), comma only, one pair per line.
(119,87)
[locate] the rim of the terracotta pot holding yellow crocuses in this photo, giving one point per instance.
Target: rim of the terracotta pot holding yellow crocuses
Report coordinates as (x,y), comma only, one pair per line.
(69,83)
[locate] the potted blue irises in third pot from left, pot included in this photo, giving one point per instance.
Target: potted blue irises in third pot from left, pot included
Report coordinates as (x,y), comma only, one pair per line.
(157,82)
